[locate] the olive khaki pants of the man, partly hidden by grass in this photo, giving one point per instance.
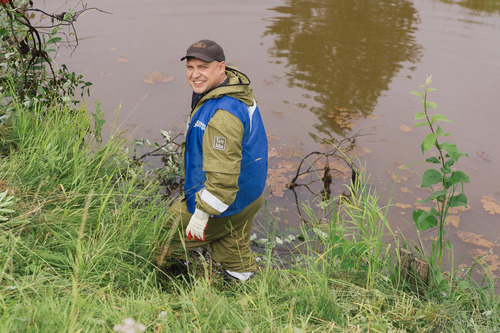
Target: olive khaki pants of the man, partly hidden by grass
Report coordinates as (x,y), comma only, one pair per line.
(229,237)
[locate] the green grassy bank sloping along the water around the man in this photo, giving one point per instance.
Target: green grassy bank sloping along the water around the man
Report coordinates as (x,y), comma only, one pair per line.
(77,254)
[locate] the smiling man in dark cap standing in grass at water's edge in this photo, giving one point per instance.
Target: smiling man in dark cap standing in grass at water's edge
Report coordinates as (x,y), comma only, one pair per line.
(225,165)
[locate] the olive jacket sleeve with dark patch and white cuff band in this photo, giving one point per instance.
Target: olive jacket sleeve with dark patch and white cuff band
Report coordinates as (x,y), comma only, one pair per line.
(222,153)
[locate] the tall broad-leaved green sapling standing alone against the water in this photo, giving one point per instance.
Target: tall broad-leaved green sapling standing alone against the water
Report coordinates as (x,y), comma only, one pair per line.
(446,185)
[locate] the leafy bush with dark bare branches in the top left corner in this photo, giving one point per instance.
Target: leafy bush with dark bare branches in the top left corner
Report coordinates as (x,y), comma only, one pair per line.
(27,51)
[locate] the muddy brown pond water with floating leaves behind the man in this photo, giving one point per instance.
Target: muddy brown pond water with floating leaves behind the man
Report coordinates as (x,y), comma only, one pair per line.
(320,70)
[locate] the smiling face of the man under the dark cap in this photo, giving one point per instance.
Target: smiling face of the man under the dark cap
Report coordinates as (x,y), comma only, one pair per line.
(203,76)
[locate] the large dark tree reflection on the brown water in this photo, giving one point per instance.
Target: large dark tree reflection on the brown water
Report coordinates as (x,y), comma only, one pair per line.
(344,53)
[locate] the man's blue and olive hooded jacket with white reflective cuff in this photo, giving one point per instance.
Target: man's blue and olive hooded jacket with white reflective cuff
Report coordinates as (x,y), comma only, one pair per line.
(225,151)
